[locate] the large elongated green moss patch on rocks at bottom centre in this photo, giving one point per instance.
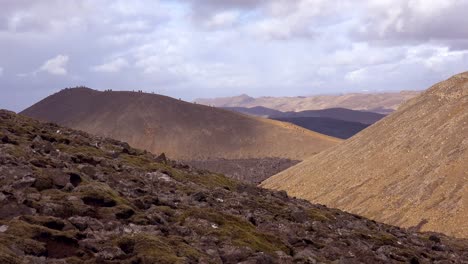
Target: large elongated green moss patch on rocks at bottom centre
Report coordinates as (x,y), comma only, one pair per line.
(239,231)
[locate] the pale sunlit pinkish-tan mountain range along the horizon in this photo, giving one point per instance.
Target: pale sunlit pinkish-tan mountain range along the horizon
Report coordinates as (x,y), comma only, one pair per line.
(373,102)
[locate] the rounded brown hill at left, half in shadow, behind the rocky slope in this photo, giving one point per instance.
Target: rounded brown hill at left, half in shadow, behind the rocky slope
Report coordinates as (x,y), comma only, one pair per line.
(180,129)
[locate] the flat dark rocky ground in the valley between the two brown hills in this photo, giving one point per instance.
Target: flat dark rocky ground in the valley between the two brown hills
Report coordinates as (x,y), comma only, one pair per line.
(248,170)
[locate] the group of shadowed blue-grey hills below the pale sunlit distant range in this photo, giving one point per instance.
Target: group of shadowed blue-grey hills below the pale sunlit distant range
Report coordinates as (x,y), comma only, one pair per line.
(336,122)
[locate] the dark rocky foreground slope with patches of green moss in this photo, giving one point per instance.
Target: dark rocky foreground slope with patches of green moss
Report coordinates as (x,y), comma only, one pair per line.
(69,197)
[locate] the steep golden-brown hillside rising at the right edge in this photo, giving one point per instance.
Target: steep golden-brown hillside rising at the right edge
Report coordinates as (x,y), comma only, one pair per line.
(410,168)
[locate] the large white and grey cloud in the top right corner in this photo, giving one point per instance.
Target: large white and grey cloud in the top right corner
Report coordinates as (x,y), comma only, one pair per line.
(413,21)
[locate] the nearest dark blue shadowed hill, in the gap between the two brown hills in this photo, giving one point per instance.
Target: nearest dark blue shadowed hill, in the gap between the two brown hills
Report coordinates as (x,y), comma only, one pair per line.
(327,126)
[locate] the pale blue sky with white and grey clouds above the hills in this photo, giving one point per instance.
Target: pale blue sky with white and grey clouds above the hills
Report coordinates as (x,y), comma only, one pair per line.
(209,48)
